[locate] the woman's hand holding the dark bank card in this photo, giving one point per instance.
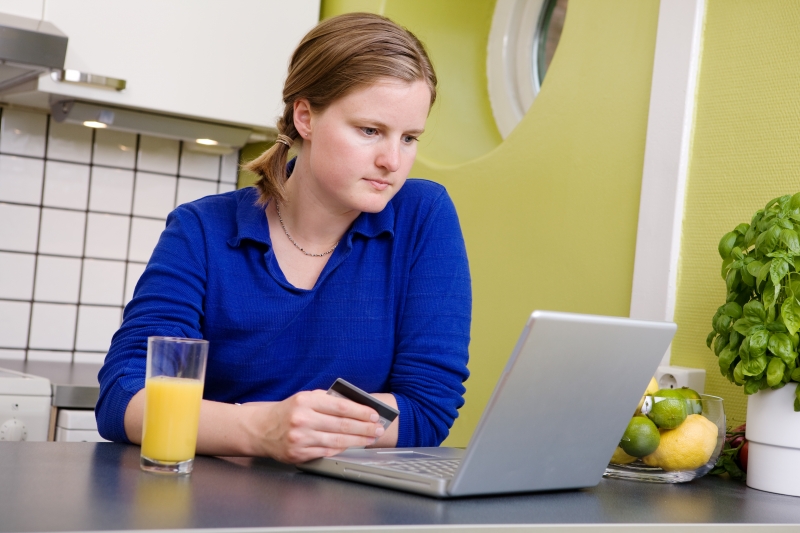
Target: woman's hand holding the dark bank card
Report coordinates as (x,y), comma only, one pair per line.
(309,425)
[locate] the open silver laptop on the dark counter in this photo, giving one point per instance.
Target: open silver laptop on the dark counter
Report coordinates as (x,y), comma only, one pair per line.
(553,421)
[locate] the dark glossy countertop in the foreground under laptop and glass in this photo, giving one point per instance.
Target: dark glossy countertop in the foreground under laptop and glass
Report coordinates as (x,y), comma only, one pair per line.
(89,486)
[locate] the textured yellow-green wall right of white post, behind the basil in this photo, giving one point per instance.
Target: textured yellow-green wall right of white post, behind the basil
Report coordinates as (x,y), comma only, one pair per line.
(745,151)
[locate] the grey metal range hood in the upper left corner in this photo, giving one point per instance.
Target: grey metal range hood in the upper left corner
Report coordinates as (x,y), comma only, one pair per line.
(28,48)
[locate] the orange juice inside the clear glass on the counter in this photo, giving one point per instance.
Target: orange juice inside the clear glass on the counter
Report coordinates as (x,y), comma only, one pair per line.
(171,416)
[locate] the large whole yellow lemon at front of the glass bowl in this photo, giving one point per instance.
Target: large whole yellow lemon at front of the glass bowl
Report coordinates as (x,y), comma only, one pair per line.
(687,447)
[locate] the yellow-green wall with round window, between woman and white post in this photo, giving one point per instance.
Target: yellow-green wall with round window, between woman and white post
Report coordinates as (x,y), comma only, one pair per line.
(550,214)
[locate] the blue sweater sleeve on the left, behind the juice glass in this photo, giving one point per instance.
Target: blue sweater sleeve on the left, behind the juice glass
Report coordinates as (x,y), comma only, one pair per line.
(167,301)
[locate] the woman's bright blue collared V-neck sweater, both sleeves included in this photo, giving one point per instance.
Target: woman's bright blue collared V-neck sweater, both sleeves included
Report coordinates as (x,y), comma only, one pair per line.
(390,311)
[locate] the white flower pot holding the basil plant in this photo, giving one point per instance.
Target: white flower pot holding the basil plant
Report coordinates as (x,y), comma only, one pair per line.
(773,430)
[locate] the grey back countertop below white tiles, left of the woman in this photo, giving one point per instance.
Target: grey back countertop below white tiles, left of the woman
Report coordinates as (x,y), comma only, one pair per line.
(74,384)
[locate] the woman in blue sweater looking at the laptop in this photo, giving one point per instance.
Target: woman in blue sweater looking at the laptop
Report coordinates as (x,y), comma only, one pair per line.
(333,266)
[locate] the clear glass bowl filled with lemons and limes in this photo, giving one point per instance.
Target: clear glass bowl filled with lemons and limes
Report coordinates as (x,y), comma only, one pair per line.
(667,446)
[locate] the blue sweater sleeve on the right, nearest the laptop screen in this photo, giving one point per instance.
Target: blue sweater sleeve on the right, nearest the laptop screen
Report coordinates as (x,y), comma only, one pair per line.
(433,335)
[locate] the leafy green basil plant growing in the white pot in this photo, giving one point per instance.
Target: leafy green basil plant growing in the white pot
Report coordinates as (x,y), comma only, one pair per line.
(755,332)
